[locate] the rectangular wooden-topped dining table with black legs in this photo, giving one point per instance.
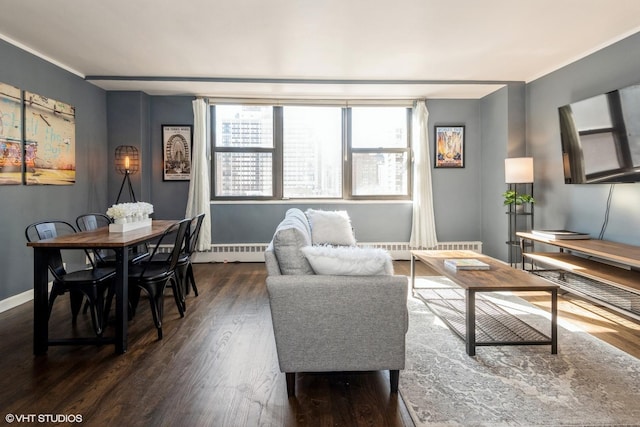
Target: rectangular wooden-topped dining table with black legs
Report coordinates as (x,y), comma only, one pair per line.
(100,238)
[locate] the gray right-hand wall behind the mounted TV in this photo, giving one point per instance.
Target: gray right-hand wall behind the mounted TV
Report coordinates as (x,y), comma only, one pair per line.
(581,207)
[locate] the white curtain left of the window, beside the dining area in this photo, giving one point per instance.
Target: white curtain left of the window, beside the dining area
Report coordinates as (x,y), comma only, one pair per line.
(199,188)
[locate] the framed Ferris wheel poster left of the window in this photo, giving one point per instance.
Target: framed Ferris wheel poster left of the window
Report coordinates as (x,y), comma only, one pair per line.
(176,149)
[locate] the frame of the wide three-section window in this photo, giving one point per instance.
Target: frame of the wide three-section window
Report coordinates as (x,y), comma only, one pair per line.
(347,153)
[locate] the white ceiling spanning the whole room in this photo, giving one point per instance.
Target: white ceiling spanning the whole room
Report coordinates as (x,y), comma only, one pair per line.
(315,48)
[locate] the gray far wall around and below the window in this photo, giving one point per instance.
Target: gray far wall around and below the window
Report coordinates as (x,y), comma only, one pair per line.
(457,192)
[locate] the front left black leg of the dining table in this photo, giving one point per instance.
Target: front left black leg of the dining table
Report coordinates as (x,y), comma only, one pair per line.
(40,301)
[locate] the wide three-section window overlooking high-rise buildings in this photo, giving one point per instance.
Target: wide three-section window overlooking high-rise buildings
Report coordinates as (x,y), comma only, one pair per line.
(317,151)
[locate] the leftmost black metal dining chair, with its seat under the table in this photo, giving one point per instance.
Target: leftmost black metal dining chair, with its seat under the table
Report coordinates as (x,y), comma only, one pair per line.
(90,282)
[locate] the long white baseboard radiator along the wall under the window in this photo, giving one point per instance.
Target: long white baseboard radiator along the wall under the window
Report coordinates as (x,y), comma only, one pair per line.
(253,252)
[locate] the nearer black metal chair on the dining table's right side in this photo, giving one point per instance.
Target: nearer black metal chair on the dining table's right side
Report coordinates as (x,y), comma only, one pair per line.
(154,277)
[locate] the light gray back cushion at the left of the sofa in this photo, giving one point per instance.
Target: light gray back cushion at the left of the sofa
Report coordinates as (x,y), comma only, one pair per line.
(292,234)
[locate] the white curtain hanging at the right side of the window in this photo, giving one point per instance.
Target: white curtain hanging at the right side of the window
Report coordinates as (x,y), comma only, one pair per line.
(423,227)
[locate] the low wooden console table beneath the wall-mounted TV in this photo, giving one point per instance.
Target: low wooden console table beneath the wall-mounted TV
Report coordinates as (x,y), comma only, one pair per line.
(605,272)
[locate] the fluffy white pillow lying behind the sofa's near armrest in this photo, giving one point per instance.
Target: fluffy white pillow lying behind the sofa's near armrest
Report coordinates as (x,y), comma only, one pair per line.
(348,260)
